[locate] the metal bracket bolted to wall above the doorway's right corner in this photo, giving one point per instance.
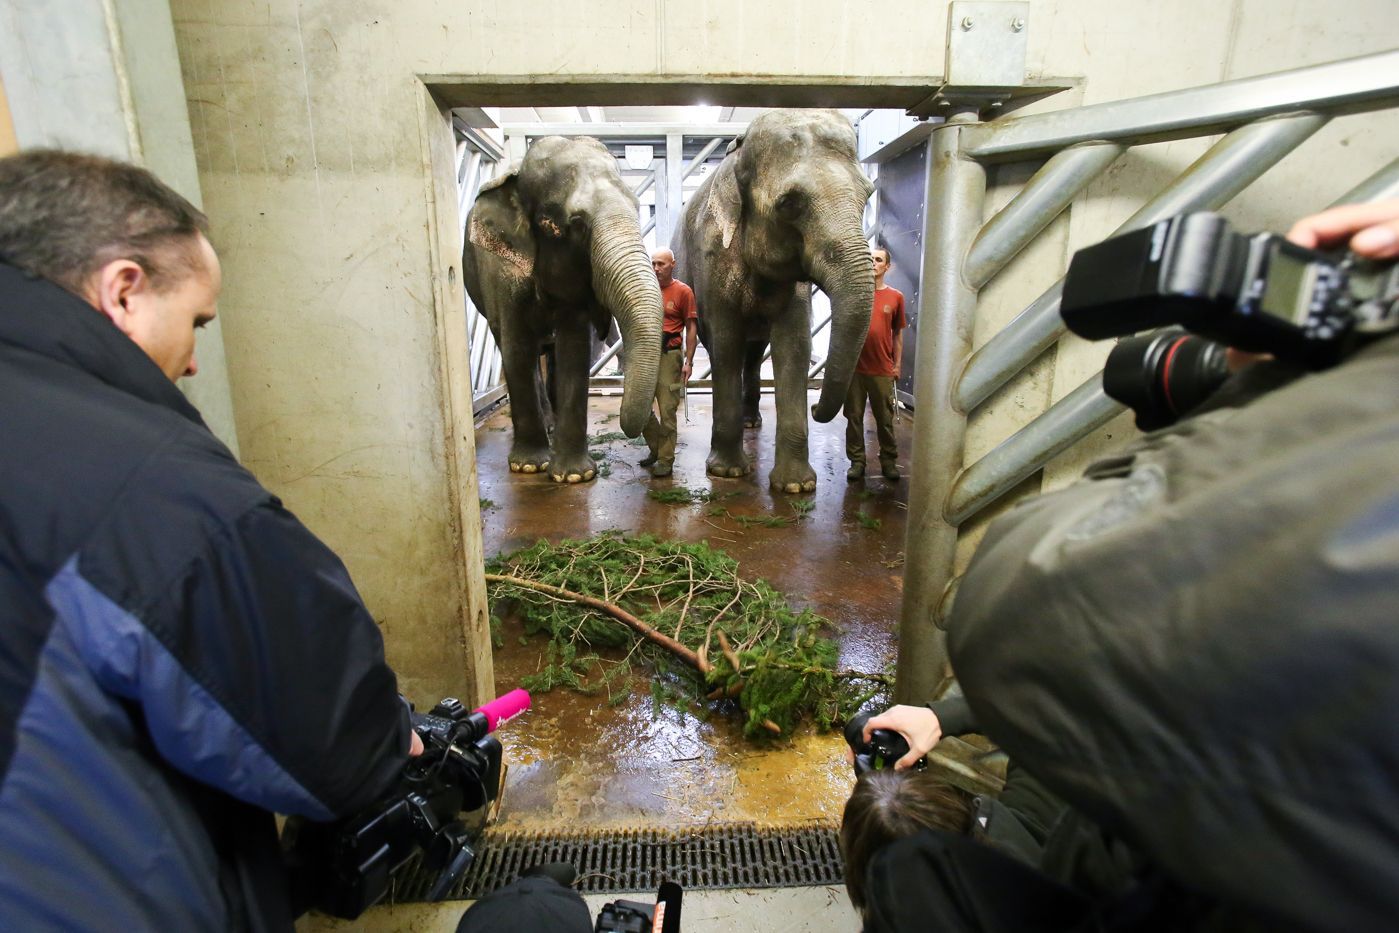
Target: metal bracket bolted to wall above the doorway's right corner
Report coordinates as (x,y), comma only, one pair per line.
(986,69)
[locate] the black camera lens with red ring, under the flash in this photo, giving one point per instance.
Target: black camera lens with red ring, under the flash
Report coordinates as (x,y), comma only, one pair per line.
(1163,377)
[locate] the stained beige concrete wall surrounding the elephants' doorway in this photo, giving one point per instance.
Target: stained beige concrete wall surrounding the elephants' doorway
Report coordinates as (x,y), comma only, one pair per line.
(320,156)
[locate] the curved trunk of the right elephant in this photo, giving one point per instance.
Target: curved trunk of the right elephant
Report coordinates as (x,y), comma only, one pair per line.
(841,266)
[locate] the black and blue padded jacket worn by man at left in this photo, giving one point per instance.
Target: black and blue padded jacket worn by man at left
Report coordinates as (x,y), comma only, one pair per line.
(180,657)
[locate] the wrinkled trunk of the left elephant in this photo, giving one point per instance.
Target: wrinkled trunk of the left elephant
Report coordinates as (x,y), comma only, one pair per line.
(626,286)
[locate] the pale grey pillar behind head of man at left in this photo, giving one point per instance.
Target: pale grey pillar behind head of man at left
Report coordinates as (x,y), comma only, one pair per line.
(104,78)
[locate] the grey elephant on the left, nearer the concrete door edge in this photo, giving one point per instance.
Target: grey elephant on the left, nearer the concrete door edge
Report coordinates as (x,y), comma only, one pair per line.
(555,252)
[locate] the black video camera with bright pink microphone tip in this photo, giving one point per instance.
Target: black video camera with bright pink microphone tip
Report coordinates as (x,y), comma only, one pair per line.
(346,867)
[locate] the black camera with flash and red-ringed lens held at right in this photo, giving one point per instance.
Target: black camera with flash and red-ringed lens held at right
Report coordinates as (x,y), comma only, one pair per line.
(1256,293)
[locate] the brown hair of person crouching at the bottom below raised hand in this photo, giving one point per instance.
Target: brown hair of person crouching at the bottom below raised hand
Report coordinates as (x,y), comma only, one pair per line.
(890,805)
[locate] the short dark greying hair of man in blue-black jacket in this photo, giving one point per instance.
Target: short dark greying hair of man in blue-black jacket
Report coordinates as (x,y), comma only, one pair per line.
(64,216)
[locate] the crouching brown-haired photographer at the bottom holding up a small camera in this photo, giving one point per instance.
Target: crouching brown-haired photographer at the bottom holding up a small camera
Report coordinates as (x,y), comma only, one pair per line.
(902,878)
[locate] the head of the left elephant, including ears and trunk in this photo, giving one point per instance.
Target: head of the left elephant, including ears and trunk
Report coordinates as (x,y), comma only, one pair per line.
(567,219)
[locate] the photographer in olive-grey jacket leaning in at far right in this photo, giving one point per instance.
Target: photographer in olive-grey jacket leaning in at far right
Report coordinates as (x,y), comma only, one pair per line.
(1209,667)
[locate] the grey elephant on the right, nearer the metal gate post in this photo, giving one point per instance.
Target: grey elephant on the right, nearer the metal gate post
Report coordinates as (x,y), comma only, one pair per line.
(784,209)
